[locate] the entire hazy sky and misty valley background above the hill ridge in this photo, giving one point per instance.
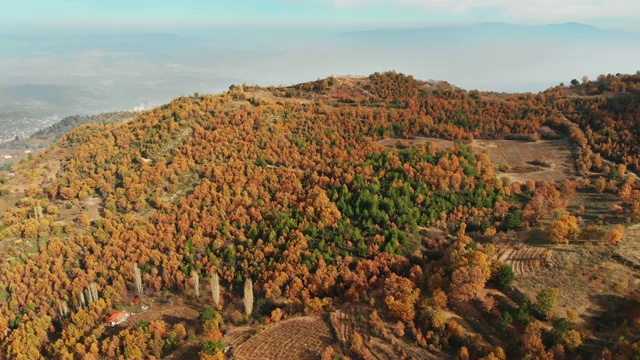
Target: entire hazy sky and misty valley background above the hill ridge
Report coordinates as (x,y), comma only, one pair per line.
(63,58)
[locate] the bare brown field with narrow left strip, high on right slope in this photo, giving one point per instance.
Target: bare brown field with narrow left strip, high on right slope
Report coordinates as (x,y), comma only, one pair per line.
(518,156)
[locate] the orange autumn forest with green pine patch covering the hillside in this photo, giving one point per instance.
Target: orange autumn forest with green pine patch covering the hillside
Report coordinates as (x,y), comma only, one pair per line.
(286,194)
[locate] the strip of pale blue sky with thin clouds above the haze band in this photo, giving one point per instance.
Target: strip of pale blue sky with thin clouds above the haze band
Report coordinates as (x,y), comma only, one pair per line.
(610,14)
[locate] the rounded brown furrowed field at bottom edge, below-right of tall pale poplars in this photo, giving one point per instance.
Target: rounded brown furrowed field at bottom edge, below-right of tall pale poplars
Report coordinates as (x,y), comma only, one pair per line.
(298,338)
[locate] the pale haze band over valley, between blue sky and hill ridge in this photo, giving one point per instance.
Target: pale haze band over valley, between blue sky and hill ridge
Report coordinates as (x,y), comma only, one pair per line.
(51,73)
